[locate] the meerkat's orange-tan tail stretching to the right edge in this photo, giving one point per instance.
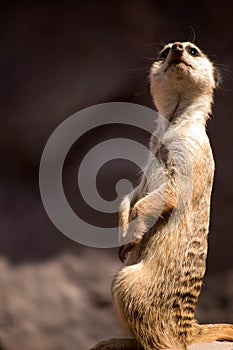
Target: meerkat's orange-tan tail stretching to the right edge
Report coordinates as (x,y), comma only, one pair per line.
(211,332)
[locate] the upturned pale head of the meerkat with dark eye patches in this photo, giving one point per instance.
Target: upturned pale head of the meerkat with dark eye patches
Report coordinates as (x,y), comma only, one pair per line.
(181,72)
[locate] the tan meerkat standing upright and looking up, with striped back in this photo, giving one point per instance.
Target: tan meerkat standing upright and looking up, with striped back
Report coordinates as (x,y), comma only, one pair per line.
(156,291)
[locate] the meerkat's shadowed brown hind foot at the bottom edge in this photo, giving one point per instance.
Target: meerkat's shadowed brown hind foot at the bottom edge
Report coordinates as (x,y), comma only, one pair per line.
(118,344)
